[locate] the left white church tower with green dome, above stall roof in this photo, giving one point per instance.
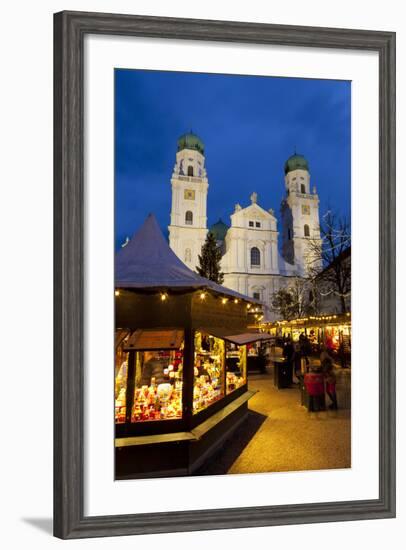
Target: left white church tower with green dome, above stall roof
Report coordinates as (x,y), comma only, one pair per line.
(188,227)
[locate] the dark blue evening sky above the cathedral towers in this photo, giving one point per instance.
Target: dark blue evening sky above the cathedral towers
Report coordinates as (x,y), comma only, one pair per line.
(250,125)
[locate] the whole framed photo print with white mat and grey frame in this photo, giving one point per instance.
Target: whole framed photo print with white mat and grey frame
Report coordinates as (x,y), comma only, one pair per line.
(224,275)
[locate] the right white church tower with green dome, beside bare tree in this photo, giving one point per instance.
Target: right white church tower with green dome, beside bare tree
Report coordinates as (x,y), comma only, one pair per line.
(300,217)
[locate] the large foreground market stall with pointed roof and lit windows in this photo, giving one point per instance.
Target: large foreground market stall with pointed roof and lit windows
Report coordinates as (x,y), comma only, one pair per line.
(181,360)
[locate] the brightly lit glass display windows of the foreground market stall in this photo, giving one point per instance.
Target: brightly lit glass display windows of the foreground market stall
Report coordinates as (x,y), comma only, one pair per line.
(151,385)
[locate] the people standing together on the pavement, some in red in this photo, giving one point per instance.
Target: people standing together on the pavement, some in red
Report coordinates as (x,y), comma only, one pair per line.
(318,378)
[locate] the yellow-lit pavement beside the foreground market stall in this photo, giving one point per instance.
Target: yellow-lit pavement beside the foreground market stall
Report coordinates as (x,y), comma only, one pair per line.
(281,435)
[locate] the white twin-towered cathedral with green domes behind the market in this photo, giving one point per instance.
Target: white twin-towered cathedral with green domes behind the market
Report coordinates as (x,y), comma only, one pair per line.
(252,262)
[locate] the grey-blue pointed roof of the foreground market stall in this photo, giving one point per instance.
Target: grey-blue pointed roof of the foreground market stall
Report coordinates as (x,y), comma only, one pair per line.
(147,262)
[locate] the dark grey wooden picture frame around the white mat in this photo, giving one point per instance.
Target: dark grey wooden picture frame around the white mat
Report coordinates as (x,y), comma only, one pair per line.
(70,29)
